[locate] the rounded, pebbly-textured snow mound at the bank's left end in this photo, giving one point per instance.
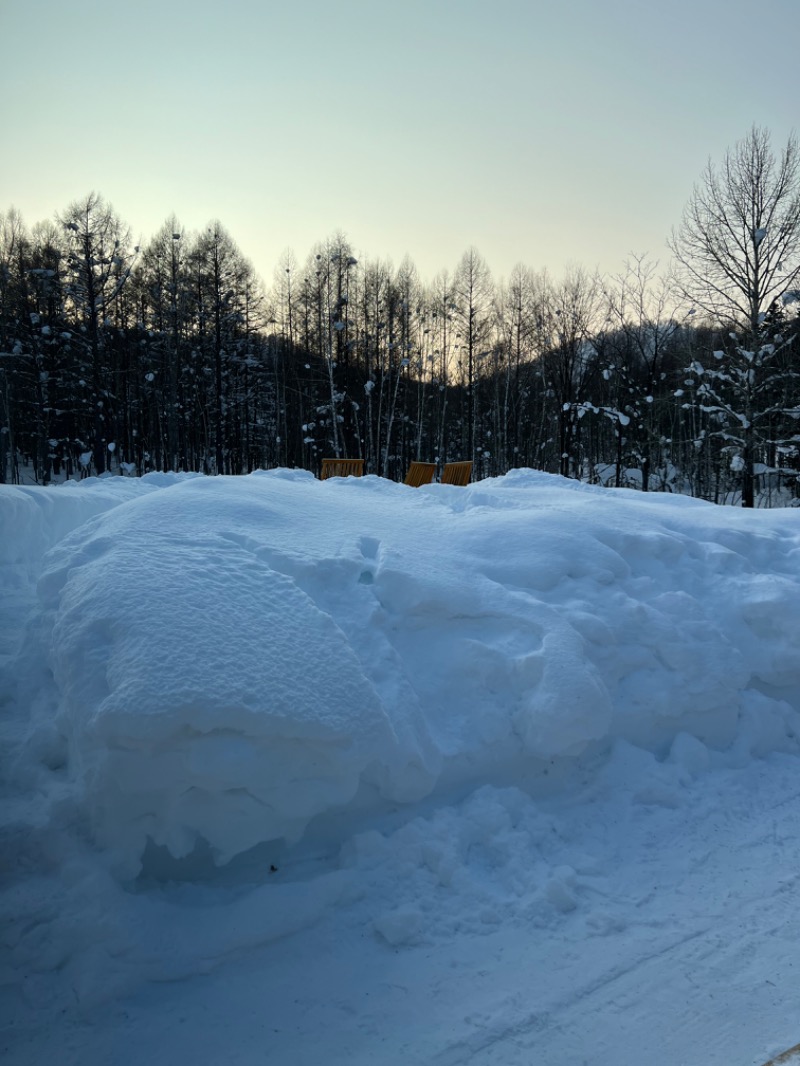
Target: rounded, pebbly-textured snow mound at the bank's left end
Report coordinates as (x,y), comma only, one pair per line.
(205,696)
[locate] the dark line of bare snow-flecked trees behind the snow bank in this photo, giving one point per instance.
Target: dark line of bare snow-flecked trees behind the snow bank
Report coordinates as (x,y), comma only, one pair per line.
(177,357)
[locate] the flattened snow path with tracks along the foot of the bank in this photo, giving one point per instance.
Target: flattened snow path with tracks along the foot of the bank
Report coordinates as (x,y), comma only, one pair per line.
(651,956)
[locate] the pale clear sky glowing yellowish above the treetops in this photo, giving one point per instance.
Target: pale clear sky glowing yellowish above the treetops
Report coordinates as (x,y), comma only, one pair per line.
(540,133)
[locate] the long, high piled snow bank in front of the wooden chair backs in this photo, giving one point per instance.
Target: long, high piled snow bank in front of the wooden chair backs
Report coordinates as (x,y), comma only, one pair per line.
(237,657)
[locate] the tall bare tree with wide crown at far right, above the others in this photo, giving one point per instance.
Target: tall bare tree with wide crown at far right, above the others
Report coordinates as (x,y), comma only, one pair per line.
(739,261)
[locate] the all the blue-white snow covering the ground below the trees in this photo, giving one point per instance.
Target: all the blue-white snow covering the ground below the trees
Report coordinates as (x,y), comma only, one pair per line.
(345,772)
